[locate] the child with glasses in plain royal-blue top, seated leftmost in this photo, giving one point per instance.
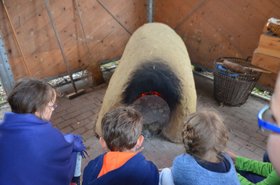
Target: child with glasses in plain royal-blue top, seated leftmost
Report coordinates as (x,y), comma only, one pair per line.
(32,150)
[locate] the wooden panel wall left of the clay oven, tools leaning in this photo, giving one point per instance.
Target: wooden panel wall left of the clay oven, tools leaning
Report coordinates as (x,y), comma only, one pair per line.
(108,25)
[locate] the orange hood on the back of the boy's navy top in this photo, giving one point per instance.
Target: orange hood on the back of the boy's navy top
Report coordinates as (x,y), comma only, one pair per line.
(114,160)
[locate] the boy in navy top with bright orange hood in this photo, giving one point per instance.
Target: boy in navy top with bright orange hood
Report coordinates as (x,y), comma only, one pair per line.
(123,163)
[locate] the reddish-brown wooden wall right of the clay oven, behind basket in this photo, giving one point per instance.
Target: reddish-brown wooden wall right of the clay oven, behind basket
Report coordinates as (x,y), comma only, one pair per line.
(215,28)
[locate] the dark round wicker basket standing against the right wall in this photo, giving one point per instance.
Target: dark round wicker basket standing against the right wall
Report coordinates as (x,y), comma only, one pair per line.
(233,88)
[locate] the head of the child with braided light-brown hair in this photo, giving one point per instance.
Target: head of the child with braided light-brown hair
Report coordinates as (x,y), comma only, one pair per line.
(204,132)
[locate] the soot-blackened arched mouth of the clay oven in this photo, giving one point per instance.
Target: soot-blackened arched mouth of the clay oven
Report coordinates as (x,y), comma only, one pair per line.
(155,91)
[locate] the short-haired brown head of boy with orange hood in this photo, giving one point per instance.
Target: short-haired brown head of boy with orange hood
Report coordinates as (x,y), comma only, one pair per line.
(121,129)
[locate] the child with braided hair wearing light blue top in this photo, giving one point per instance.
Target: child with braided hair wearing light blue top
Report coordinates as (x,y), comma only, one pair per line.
(204,138)
